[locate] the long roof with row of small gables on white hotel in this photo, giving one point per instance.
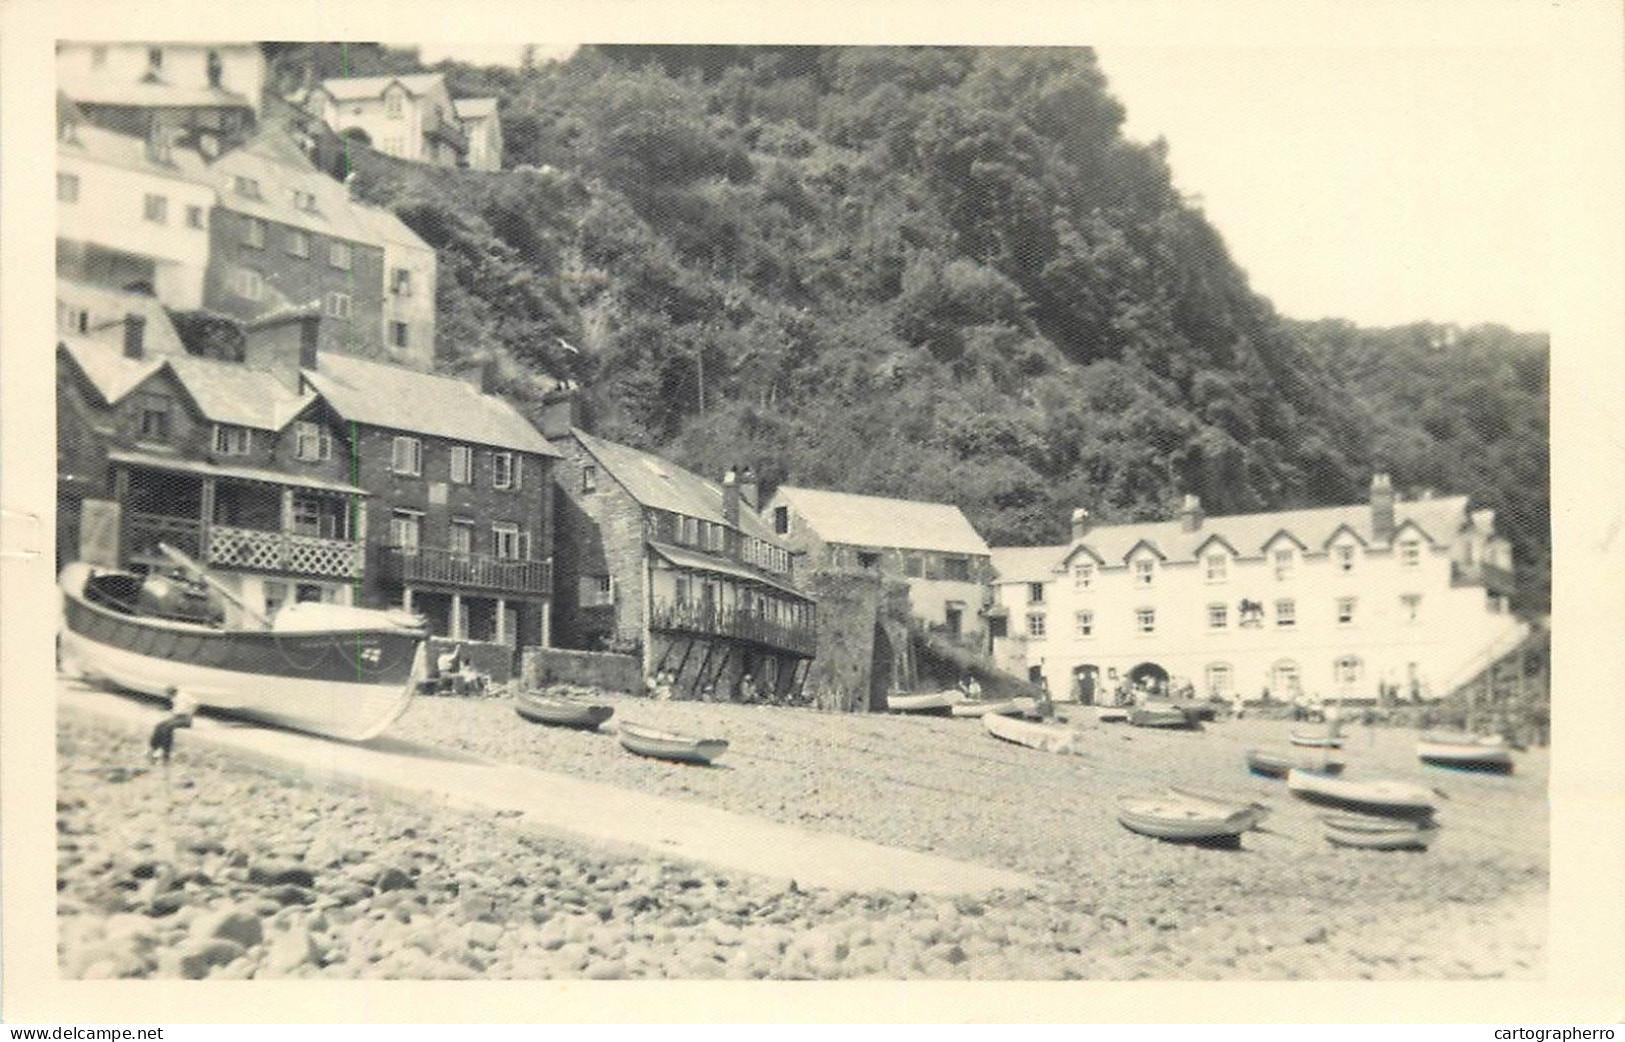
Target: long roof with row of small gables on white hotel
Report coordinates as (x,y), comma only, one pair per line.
(1441,519)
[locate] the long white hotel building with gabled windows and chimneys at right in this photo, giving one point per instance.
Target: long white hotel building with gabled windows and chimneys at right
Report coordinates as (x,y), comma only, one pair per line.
(1406,599)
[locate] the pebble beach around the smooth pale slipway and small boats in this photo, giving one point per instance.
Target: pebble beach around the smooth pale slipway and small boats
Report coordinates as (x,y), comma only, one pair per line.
(217,869)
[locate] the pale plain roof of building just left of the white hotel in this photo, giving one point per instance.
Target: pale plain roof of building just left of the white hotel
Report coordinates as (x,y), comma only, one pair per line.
(890,524)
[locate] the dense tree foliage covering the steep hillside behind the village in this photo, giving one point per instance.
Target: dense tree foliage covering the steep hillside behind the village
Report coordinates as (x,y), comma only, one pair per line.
(927,272)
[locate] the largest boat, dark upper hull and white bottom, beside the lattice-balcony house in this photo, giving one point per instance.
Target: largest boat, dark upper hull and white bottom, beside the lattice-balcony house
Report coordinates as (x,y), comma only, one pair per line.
(323,669)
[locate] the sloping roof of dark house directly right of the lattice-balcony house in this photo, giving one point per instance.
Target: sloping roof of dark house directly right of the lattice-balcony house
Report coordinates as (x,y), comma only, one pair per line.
(399,399)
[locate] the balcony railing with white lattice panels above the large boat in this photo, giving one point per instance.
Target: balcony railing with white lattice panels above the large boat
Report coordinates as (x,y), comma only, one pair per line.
(246,549)
